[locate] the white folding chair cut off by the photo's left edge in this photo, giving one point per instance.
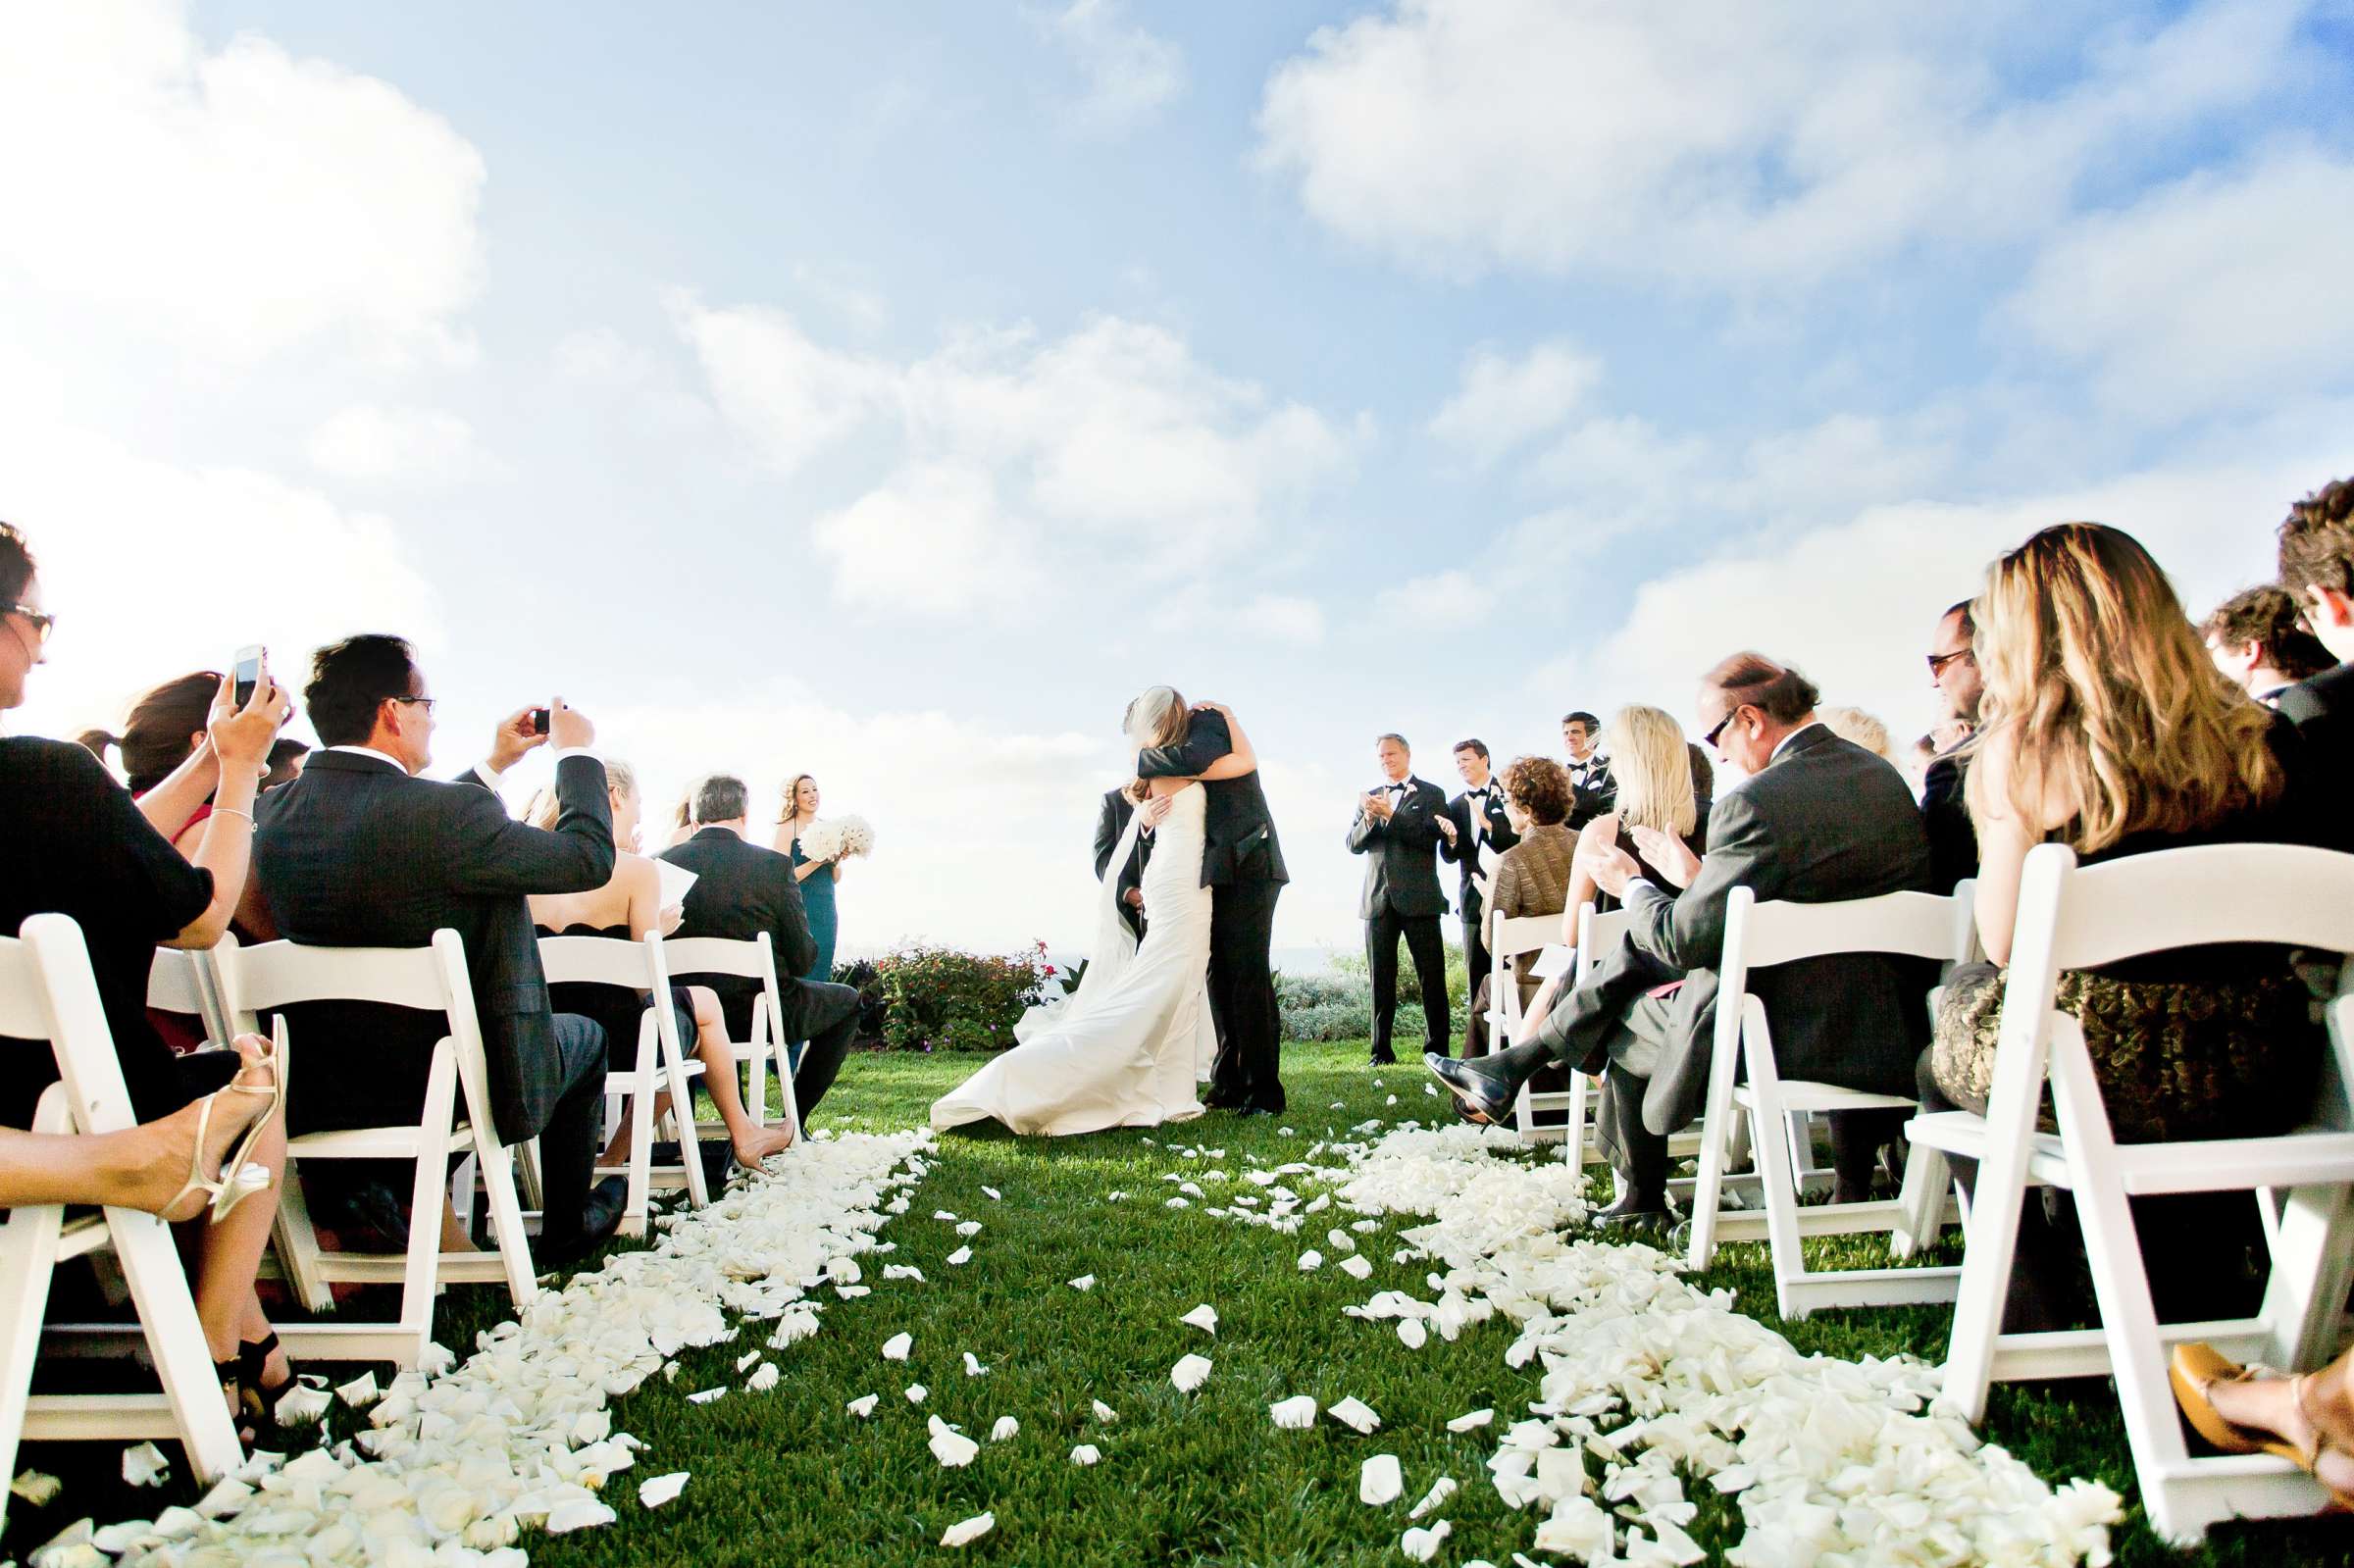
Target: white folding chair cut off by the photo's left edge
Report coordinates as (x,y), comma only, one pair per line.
(51,995)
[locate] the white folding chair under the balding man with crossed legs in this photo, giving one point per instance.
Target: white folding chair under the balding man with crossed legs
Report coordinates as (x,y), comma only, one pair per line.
(1762,936)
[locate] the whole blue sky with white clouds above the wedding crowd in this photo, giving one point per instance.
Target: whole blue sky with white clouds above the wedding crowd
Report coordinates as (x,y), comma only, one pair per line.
(898,390)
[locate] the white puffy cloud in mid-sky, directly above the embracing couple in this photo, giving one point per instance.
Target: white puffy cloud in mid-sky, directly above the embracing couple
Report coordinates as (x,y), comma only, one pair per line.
(1103,449)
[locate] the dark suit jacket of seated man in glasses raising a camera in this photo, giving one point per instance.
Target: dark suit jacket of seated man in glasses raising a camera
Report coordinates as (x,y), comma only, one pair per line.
(359,853)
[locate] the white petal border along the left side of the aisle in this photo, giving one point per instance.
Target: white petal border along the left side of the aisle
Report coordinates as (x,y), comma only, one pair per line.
(460,1466)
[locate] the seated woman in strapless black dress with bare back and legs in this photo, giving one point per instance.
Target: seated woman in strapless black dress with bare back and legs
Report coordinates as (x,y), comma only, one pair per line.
(630,908)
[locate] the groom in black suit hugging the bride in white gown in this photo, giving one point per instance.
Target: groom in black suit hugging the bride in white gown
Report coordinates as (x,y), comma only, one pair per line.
(1244,870)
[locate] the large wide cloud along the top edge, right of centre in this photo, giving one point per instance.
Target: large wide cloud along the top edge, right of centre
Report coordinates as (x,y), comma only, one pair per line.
(1738,145)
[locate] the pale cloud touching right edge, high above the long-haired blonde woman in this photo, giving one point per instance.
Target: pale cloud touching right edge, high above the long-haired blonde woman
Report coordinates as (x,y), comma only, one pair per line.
(2214,293)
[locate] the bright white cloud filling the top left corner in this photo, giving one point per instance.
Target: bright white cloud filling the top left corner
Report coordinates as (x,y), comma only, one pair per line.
(230,201)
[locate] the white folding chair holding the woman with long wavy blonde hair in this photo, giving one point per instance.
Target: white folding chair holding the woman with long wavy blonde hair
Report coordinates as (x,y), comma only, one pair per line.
(2075,919)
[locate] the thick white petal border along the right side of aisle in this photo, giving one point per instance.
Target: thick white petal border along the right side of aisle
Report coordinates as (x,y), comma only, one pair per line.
(1644,1374)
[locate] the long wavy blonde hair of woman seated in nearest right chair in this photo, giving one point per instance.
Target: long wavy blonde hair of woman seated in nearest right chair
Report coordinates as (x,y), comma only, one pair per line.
(2106,696)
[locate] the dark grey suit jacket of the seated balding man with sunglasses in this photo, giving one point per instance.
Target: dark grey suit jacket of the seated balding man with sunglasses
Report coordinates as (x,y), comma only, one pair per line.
(1826,823)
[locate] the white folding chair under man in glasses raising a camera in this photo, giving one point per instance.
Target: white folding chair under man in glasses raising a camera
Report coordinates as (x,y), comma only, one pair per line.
(432,981)
